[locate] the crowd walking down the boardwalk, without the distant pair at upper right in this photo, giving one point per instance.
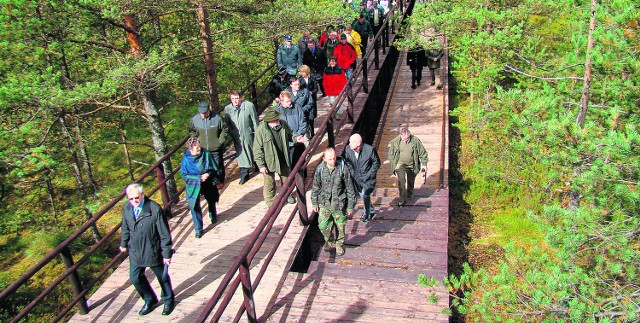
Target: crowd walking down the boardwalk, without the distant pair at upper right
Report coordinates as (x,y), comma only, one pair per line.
(273,146)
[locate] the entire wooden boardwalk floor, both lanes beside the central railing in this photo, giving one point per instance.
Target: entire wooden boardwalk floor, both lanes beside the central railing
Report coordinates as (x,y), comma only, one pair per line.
(375,281)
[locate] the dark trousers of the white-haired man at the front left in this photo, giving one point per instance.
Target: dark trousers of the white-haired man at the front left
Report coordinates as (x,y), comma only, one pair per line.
(141,283)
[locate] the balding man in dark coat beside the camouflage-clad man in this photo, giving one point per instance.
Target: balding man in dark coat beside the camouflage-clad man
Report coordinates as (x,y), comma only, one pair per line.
(363,163)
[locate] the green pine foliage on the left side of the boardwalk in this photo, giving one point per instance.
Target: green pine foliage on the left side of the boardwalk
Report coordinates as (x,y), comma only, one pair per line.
(69,86)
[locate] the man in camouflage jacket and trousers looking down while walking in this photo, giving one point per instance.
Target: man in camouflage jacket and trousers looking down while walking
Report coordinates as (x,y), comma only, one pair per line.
(333,197)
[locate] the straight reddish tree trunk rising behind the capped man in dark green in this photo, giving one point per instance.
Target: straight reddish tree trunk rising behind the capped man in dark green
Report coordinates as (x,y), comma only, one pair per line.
(207,45)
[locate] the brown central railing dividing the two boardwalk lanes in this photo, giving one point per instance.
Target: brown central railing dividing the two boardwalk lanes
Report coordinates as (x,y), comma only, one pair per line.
(240,268)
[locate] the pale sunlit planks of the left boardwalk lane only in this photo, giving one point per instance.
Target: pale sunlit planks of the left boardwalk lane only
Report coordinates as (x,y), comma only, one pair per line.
(199,264)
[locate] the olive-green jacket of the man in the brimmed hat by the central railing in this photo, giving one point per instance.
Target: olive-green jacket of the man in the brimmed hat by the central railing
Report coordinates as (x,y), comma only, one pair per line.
(264,149)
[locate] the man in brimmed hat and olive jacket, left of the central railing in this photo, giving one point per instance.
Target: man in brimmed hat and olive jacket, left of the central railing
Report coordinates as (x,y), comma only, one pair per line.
(271,152)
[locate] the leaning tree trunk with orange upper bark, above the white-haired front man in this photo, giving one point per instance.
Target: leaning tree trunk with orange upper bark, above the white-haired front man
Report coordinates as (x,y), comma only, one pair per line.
(147,96)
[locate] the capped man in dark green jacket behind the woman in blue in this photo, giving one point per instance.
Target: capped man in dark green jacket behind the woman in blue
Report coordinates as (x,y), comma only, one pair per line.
(213,132)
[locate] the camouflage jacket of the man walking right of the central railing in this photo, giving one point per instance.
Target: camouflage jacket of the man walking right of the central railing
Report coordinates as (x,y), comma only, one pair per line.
(333,191)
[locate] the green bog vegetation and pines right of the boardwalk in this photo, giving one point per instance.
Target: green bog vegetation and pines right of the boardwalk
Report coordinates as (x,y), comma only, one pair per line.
(547,109)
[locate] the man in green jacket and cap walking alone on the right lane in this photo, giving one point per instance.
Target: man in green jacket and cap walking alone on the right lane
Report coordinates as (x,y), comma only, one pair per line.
(407,156)
